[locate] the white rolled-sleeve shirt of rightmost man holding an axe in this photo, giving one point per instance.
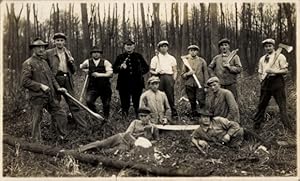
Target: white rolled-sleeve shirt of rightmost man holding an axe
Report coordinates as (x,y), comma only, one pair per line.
(279,64)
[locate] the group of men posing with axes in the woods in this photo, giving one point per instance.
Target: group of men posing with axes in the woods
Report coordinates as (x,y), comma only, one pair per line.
(48,76)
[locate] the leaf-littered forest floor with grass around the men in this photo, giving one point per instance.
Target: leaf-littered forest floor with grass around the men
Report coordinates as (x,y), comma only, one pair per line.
(174,145)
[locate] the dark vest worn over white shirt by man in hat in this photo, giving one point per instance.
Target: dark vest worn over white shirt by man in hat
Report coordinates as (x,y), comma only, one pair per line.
(100,82)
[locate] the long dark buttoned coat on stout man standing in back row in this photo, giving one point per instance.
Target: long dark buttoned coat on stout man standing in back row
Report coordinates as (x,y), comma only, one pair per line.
(131,78)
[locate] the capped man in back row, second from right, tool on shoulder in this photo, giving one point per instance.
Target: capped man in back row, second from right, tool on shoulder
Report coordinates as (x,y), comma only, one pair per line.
(226,71)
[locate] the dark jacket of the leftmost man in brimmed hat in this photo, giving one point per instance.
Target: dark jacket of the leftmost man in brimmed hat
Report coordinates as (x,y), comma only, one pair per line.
(36,71)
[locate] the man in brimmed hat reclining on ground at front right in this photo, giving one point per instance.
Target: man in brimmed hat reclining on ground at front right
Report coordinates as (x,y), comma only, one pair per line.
(217,130)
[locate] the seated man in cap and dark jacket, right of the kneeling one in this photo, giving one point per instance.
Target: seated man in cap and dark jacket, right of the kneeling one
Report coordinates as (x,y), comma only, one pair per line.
(220,102)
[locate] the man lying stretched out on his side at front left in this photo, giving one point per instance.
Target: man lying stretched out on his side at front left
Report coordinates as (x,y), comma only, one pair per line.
(125,140)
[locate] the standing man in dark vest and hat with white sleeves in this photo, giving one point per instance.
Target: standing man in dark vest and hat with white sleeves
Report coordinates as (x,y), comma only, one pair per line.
(100,71)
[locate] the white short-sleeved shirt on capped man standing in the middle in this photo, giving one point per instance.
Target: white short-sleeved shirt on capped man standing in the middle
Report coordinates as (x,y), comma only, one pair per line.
(163,63)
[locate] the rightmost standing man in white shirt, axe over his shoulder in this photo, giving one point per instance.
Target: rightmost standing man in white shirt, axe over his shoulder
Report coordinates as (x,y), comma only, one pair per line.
(272,66)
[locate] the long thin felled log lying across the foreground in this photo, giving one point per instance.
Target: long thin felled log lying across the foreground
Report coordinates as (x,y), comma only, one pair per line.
(105,161)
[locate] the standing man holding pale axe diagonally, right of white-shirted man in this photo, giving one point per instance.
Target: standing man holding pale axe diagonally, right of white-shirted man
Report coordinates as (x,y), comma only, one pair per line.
(199,68)
